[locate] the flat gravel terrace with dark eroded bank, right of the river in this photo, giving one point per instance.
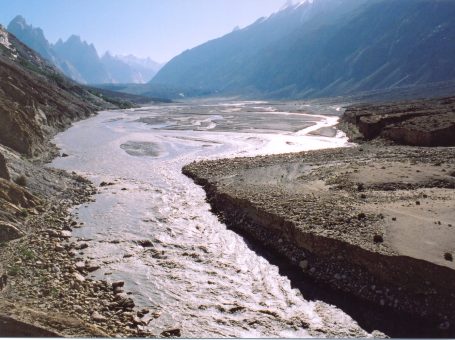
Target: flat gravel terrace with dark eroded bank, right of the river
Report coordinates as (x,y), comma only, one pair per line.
(376,222)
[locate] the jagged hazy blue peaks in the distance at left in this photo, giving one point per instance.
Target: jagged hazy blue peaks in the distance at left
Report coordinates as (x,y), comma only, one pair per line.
(80,61)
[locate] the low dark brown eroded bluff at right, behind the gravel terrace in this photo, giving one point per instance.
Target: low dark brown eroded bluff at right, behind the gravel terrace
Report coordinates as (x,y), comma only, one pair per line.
(419,123)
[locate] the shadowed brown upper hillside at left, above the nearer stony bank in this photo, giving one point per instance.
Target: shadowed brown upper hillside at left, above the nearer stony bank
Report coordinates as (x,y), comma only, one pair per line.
(36,100)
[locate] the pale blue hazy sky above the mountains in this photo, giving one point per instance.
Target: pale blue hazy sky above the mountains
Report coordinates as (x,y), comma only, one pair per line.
(159,29)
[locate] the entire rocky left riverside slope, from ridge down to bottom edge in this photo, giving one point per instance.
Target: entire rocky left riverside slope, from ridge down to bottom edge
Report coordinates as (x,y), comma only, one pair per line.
(36,100)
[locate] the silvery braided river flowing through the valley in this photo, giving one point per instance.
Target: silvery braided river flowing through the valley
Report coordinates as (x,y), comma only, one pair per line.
(200,276)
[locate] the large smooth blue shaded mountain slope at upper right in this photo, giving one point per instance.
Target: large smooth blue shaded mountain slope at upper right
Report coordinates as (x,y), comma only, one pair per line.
(325,48)
